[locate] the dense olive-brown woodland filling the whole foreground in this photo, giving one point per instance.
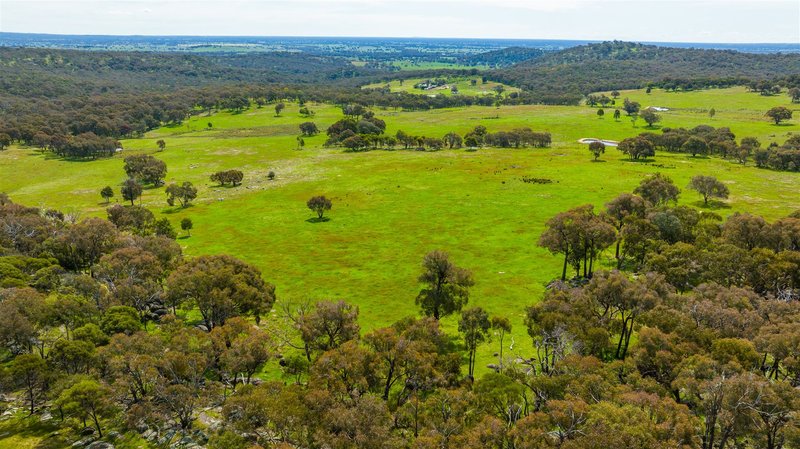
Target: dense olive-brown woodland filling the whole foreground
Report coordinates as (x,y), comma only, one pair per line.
(696,350)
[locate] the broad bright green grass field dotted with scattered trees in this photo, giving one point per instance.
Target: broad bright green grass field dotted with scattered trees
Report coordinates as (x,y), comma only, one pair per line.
(392,207)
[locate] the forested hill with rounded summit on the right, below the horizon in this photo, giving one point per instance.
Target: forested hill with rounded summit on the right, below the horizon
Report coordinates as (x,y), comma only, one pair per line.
(624,65)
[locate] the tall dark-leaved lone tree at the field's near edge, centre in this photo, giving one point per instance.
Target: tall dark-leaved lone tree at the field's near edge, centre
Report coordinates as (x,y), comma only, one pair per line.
(446,287)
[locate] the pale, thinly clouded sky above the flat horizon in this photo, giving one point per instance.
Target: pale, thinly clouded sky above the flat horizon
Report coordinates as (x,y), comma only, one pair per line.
(640,20)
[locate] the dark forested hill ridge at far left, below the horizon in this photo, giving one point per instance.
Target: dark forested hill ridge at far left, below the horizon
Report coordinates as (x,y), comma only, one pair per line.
(36,72)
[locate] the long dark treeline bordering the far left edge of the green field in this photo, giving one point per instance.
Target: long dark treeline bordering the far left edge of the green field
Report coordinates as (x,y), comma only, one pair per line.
(53,125)
